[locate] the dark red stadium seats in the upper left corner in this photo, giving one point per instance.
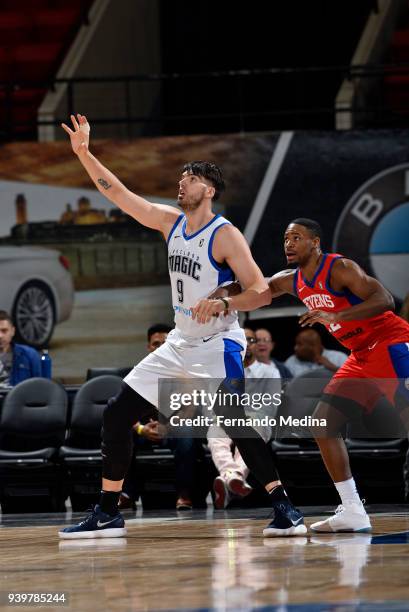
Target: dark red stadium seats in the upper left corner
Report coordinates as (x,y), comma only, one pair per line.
(34,36)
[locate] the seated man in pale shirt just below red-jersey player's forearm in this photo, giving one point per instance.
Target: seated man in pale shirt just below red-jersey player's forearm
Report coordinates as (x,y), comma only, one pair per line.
(309,354)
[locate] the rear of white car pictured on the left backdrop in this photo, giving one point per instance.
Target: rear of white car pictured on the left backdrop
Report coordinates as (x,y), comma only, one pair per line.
(36,288)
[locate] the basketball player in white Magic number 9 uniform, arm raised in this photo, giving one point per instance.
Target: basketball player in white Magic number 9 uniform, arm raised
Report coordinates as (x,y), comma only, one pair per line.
(205,251)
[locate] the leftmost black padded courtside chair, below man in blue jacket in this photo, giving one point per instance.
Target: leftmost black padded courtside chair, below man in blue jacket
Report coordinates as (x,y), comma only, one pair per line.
(32,429)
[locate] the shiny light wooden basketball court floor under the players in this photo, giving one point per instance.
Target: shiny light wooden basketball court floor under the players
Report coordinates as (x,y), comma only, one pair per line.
(208,560)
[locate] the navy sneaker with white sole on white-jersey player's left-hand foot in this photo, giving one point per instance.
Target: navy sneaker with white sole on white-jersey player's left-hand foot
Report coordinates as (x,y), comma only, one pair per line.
(96,525)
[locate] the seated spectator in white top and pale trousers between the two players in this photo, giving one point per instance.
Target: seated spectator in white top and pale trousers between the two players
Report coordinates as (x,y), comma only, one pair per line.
(233,472)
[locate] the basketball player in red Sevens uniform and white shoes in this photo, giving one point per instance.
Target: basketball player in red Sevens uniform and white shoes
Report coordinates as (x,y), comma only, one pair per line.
(357,310)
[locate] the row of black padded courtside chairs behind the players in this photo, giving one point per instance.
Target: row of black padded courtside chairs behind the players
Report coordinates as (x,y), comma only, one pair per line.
(50,450)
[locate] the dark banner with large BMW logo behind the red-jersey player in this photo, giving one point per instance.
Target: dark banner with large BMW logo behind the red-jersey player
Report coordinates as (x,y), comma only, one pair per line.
(356,184)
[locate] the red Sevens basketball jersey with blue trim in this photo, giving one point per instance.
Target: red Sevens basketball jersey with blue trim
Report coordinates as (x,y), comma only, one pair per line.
(355,335)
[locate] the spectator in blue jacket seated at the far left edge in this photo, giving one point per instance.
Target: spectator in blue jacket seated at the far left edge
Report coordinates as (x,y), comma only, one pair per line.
(17,361)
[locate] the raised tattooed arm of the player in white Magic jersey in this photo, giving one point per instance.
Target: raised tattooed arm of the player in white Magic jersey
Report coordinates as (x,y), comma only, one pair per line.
(156,216)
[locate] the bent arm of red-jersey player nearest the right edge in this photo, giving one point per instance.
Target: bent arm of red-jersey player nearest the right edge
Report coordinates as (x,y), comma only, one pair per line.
(346,274)
